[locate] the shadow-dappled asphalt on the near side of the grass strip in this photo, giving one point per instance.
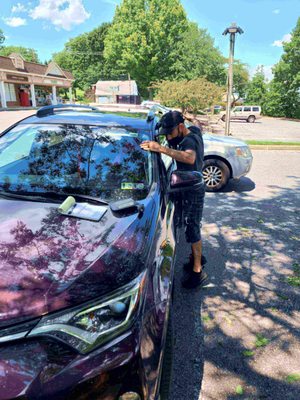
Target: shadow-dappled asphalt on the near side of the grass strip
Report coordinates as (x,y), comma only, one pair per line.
(239,337)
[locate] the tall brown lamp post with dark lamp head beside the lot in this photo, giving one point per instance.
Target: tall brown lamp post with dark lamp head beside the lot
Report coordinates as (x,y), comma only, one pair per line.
(233,30)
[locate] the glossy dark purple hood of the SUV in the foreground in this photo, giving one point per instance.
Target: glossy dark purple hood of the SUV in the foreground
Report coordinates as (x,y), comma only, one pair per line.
(49,261)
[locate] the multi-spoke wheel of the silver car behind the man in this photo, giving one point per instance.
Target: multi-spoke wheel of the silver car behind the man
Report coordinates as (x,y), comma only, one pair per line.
(215,174)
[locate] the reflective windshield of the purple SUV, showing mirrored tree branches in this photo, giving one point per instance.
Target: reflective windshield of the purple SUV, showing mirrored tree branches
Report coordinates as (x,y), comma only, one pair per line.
(104,162)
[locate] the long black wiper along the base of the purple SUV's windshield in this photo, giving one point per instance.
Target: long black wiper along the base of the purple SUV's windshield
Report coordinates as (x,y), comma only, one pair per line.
(45,196)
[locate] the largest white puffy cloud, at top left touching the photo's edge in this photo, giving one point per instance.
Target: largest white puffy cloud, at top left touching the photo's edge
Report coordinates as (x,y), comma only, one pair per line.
(61,13)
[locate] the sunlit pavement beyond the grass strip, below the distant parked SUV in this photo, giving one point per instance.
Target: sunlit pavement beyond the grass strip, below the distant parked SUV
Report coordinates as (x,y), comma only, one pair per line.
(273,129)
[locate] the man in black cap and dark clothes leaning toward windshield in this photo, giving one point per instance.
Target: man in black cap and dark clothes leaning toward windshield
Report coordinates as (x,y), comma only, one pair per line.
(188,150)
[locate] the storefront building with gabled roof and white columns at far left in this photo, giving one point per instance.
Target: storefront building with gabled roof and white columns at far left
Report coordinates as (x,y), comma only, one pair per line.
(25,84)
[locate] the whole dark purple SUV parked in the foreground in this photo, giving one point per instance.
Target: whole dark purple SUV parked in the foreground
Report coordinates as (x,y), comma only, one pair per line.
(87,249)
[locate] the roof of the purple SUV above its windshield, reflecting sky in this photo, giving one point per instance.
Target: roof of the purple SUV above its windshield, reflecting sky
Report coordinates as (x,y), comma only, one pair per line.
(90,118)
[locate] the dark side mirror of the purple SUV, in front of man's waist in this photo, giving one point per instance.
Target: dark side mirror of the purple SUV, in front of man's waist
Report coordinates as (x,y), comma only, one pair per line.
(185,180)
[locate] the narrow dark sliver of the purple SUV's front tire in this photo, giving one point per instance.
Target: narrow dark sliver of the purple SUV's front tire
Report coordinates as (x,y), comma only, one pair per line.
(167,365)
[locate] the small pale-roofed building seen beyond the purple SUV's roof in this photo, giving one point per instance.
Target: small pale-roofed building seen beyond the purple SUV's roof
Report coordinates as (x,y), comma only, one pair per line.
(125,92)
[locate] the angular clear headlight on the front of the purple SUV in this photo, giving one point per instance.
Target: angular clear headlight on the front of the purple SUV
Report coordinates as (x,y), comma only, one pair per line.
(85,328)
